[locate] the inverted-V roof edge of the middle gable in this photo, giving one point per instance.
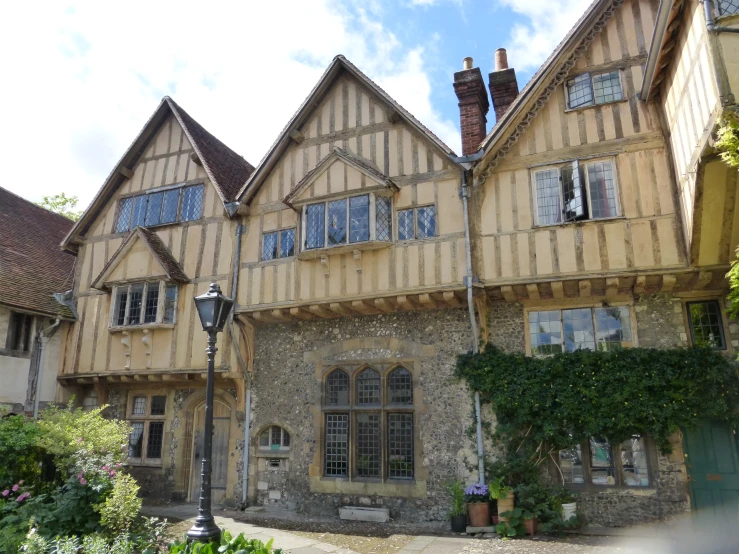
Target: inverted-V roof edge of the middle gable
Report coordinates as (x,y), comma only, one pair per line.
(338,65)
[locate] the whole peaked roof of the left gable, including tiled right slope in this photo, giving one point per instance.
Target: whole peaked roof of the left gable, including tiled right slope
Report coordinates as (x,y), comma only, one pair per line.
(224,167)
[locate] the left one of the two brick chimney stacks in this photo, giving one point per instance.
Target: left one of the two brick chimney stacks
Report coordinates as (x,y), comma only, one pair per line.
(473,106)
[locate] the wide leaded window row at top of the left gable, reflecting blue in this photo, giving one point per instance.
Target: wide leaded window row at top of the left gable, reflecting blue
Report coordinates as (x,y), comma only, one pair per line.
(160,207)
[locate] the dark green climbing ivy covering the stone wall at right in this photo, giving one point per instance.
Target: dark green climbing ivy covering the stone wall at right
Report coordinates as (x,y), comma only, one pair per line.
(543,405)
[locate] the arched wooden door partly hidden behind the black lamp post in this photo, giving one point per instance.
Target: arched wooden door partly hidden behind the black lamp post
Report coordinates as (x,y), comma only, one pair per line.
(221,425)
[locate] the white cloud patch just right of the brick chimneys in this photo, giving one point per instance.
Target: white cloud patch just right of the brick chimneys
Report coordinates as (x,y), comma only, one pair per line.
(548,23)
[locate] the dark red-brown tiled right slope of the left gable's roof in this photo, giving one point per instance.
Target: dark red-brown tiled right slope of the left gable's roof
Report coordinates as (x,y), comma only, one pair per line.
(227,169)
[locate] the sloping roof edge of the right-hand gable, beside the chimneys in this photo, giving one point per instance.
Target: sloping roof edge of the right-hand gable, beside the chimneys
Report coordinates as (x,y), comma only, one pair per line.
(550,75)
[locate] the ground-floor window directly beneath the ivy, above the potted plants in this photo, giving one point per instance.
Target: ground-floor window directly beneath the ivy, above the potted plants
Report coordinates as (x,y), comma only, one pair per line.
(598,463)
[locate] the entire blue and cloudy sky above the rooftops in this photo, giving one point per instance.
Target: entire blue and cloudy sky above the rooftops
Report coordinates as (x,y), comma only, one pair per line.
(87,75)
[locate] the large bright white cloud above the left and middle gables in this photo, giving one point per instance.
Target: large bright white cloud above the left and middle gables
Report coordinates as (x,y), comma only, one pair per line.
(87,77)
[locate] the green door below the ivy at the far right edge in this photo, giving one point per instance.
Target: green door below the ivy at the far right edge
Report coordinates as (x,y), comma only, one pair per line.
(712,460)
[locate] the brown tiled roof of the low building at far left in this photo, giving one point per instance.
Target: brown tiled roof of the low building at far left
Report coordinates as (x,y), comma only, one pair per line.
(32,267)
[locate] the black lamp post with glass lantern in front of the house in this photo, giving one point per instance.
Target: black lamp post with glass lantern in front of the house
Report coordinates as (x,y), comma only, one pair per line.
(213,309)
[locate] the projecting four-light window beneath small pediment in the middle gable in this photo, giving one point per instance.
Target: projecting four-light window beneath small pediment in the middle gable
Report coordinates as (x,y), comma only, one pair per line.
(348,221)
